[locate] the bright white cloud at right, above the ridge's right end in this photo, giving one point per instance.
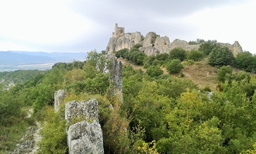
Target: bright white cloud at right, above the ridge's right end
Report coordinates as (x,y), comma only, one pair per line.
(227,24)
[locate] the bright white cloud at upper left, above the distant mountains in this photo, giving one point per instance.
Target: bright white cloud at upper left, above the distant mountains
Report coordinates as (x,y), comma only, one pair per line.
(44,22)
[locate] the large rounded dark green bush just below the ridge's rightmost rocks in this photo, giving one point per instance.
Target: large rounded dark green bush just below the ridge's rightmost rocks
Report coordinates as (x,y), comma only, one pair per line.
(221,56)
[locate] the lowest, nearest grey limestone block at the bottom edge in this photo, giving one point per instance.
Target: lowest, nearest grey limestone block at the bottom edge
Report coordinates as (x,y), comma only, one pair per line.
(85,137)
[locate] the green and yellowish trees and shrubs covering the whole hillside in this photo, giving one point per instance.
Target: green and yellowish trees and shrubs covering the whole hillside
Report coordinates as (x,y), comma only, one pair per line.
(178,102)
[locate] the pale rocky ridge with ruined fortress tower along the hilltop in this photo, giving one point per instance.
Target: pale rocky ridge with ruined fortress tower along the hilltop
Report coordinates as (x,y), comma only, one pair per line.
(154,44)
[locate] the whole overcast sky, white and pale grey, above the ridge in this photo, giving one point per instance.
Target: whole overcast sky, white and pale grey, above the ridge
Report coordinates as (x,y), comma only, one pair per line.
(85,25)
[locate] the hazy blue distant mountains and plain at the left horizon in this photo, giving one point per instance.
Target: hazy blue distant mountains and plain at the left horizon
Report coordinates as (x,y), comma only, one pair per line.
(24,60)
